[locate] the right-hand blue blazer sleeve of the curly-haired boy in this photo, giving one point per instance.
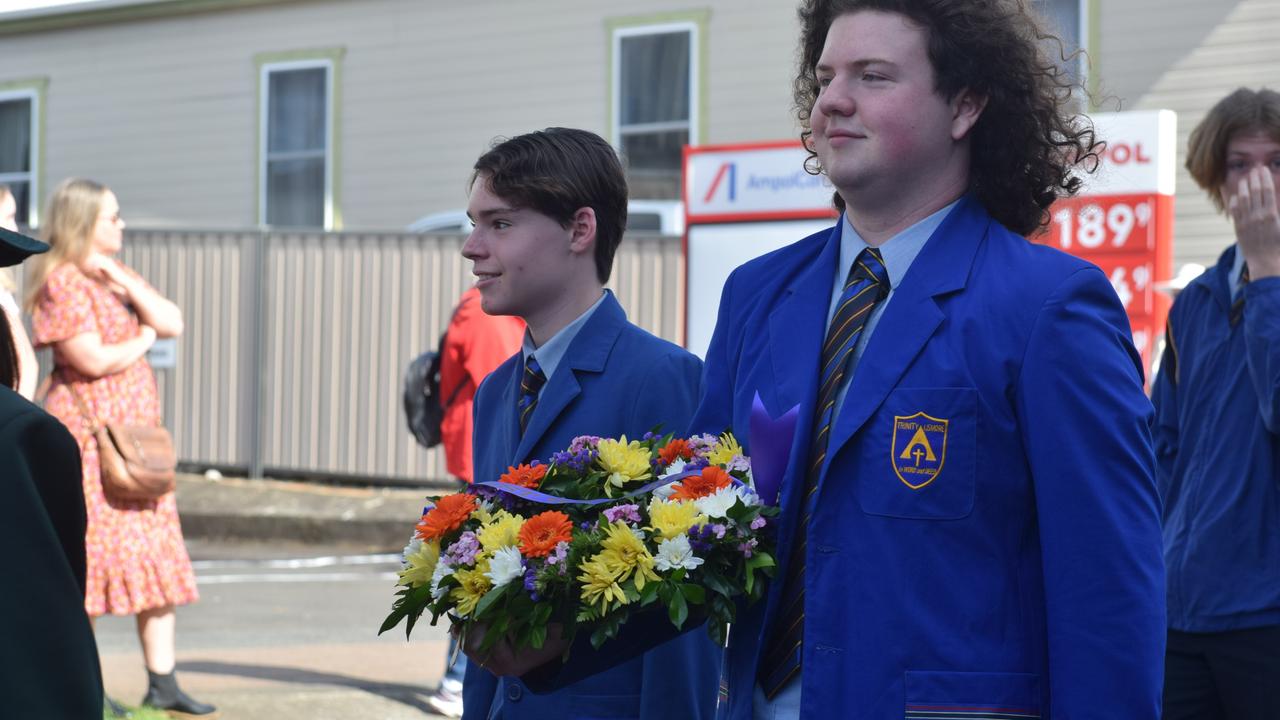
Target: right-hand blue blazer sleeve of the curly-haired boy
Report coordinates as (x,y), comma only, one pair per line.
(1086,423)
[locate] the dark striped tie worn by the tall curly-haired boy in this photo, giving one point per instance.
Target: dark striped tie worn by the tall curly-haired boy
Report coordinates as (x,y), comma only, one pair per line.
(867,285)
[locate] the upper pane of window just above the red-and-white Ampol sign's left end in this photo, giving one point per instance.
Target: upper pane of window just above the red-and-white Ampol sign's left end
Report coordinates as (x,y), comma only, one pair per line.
(655,79)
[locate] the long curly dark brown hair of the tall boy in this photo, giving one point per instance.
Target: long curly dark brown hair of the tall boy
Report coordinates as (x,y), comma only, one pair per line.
(1027,143)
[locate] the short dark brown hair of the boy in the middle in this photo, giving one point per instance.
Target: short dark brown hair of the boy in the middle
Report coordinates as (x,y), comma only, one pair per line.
(557,172)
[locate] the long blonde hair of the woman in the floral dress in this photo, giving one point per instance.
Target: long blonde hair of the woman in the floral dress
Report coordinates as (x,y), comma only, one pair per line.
(68,229)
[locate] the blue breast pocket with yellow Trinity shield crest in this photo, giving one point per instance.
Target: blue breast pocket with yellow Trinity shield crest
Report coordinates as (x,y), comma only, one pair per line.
(918,455)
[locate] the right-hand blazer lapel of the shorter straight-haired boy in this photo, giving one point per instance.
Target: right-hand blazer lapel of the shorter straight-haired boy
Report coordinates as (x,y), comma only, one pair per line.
(588,353)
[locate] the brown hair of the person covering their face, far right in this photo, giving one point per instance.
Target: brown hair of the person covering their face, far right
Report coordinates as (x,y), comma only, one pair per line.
(1244,111)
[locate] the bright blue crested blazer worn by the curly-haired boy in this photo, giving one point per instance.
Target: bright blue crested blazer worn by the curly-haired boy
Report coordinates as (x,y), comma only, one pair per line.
(986,539)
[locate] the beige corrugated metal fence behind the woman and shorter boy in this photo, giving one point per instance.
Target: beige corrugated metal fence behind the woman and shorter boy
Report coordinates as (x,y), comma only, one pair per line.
(296,343)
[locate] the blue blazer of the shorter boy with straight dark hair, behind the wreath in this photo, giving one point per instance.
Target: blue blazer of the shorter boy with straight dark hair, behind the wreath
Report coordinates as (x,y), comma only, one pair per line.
(615,380)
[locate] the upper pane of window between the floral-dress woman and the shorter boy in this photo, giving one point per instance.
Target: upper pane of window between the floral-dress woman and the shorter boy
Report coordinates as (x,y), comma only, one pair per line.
(296,111)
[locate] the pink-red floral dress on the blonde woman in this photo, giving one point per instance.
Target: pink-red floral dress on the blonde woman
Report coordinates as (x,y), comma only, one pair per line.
(138,559)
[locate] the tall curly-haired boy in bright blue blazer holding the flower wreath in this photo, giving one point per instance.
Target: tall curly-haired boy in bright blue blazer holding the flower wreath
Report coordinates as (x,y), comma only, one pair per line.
(970,517)
